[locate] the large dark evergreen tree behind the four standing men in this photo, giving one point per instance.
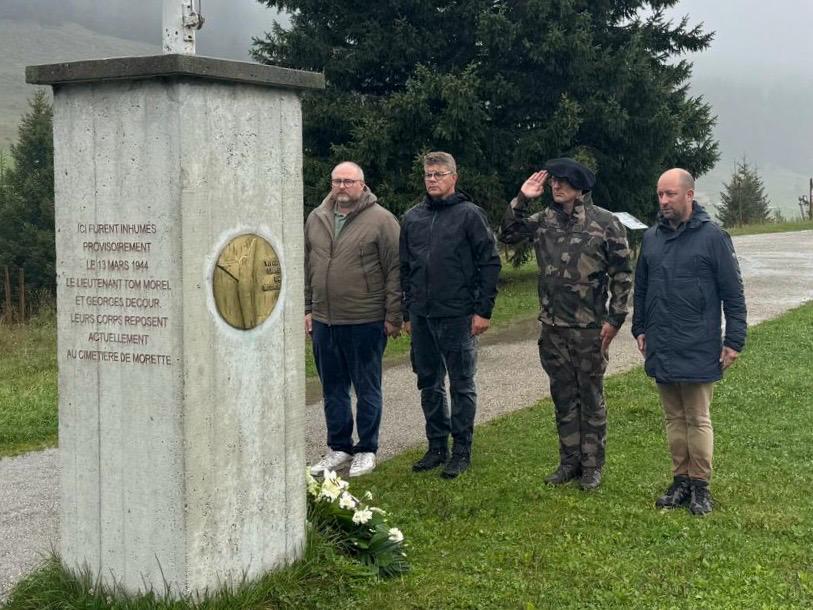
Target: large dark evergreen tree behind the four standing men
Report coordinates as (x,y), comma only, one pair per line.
(502,86)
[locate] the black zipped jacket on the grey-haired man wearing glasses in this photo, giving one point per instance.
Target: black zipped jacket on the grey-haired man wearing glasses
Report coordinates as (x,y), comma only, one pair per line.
(449,260)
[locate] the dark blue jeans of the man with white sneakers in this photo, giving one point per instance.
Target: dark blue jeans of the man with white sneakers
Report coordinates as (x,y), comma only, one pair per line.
(350,354)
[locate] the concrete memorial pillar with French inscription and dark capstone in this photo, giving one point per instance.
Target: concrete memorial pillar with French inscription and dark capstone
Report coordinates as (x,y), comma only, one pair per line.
(180,303)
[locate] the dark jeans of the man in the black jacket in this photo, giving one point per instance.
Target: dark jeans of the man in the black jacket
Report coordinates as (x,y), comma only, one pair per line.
(441,346)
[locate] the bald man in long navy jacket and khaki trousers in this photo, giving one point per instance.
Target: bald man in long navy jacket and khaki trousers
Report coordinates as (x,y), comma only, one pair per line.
(687,267)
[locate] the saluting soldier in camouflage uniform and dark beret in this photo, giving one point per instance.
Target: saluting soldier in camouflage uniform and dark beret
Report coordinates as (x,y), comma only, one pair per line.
(582,253)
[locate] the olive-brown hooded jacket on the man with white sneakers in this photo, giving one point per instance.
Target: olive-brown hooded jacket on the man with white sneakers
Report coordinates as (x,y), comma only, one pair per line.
(352,278)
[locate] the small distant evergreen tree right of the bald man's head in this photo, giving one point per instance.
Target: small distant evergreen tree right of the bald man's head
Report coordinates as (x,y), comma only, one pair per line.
(744,200)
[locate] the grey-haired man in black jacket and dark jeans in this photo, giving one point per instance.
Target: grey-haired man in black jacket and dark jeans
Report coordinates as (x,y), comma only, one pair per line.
(449,272)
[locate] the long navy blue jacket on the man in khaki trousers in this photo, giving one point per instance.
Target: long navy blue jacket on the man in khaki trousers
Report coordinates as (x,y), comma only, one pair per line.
(681,278)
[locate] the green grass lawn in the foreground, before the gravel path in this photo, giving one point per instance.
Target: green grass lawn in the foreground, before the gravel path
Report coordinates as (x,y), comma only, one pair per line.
(497,537)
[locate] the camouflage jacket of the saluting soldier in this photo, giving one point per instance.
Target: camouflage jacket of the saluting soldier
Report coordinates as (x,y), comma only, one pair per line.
(581,257)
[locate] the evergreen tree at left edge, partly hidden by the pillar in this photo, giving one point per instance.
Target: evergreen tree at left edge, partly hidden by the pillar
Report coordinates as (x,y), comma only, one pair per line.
(27,200)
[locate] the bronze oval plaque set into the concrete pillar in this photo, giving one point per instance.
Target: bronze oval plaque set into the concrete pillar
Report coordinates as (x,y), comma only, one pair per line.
(247,281)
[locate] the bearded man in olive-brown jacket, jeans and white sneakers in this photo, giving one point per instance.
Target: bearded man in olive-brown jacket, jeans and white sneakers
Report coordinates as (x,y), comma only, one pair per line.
(352,304)
